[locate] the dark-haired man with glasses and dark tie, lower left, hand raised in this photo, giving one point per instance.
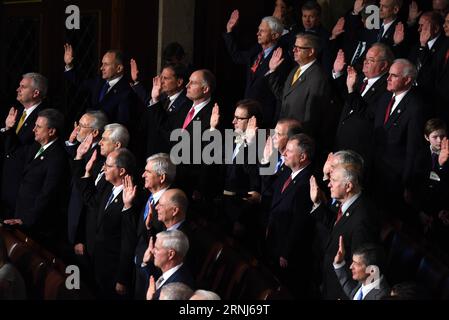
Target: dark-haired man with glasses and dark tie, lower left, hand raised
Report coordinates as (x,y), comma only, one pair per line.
(115,226)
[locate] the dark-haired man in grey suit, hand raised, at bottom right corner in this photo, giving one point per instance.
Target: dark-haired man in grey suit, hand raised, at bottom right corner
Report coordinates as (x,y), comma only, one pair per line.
(366,281)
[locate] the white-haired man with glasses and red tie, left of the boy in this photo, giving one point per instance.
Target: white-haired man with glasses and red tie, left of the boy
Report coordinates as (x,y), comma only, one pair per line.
(398,127)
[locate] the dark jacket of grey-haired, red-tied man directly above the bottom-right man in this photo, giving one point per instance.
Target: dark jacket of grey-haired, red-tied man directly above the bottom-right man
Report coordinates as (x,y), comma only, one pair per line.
(357,226)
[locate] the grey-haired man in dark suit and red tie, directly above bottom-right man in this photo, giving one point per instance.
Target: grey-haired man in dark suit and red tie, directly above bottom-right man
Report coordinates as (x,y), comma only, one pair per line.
(354,221)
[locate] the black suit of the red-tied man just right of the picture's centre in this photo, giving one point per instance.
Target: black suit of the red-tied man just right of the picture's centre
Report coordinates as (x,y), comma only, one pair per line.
(290,230)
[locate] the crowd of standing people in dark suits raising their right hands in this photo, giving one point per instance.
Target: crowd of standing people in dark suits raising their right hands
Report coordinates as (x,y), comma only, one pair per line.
(358,117)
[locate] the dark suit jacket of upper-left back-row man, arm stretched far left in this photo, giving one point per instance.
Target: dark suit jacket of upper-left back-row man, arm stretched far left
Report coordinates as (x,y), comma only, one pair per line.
(120,104)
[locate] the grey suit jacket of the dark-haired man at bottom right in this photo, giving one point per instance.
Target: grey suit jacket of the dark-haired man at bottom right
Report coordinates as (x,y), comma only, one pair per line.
(350,286)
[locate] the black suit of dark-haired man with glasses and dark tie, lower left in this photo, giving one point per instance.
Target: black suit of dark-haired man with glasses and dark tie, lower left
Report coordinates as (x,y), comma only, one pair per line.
(114,248)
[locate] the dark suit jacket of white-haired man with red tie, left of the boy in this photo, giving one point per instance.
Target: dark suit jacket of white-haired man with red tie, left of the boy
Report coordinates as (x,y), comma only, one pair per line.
(398,141)
